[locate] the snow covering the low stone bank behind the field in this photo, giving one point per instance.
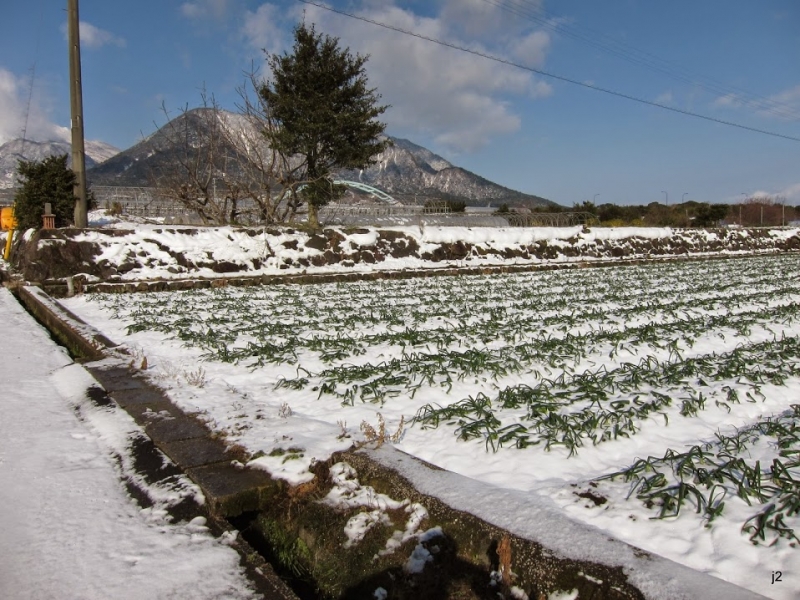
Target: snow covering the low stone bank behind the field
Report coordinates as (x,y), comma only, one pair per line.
(140,249)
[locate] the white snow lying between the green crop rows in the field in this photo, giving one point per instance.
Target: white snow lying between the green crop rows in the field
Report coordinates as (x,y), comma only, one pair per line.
(284,414)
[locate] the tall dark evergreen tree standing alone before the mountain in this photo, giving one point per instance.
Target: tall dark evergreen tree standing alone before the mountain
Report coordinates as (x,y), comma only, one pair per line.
(325,112)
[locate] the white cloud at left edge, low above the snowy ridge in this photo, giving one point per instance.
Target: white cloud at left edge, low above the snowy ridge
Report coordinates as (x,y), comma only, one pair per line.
(13,103)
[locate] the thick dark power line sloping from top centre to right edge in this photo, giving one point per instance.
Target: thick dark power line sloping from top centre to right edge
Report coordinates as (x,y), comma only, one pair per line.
(547,74)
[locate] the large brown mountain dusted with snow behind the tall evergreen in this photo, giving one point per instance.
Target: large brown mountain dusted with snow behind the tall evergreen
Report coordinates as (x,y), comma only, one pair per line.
(404,170)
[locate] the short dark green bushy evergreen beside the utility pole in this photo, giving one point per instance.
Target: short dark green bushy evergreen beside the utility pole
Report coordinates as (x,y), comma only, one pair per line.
(48,180)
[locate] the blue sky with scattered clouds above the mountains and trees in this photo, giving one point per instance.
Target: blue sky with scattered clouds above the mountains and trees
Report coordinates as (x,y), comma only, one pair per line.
(733,60)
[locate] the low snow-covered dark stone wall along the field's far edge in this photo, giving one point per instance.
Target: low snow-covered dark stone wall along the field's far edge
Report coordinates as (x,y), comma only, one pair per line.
(125,258)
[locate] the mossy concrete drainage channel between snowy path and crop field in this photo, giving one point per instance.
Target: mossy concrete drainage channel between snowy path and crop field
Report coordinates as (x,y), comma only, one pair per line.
(291,543)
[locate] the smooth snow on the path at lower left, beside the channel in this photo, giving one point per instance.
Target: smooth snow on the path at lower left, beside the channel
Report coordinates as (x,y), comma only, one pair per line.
(69,530)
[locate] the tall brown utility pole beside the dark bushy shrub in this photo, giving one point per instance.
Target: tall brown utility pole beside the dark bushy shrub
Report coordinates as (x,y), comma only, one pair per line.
(76,113)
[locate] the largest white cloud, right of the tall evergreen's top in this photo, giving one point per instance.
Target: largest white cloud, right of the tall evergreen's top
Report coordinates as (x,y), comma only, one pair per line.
(459,99)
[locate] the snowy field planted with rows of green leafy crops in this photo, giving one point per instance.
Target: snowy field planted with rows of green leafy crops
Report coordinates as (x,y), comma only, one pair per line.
(659,402)
